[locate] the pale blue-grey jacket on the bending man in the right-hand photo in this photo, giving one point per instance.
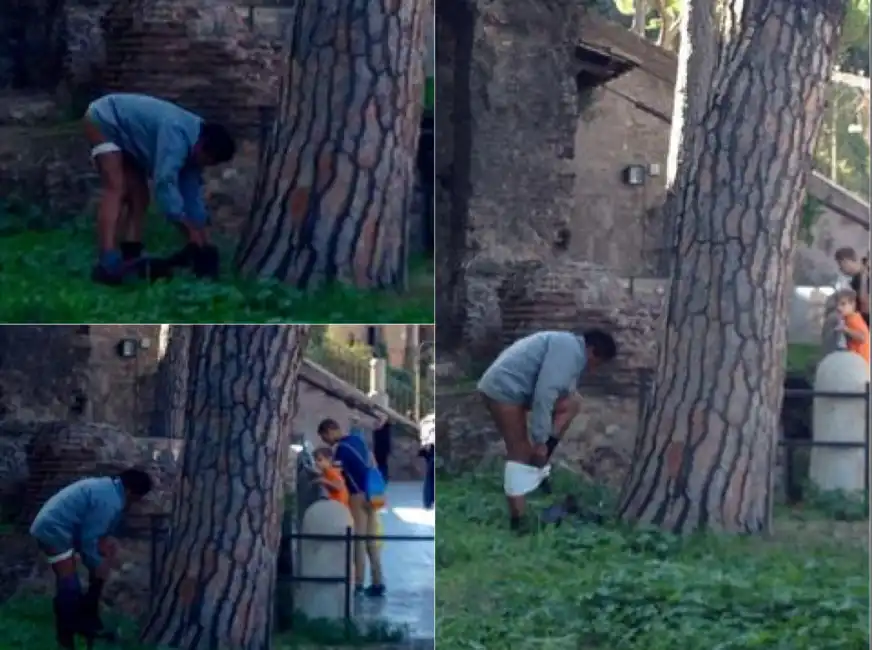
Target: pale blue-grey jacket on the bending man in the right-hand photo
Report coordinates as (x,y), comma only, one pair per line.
(535,372)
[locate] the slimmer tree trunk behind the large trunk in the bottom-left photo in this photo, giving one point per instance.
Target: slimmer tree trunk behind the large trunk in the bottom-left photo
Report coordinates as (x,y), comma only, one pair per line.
(171,389)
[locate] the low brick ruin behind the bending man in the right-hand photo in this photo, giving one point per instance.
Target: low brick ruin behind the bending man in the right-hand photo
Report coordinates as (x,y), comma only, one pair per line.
(563,295)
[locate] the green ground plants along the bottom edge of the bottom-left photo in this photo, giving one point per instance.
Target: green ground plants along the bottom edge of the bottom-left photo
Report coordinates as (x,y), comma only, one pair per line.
(28,623)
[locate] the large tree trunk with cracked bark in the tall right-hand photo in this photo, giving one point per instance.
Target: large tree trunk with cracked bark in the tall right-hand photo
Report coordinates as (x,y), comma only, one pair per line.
(705,452)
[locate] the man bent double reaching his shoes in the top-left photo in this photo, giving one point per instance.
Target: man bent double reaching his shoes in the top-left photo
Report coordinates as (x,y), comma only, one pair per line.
(135,138)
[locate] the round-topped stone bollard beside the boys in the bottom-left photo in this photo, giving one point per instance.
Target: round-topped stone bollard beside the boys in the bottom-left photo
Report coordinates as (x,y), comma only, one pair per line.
(324,559)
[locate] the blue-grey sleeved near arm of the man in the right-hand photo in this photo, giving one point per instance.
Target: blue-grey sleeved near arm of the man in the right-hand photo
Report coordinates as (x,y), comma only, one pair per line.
(558,377)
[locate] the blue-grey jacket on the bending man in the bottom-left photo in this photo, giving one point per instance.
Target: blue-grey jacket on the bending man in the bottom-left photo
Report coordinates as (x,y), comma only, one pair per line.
(79,515)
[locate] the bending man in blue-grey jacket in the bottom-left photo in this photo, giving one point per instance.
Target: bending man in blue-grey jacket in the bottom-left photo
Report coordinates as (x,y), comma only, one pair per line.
(77,520)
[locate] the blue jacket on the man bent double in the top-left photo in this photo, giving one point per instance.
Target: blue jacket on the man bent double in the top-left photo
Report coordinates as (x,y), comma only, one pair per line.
(160,136)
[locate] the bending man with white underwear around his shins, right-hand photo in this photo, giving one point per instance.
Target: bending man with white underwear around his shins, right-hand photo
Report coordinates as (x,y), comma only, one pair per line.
(538,375)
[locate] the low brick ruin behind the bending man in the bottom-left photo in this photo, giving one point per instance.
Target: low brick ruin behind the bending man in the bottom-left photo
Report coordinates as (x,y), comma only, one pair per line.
(40,458)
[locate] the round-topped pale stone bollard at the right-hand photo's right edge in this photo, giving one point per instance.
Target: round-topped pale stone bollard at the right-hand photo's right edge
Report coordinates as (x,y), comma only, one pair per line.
(839,419)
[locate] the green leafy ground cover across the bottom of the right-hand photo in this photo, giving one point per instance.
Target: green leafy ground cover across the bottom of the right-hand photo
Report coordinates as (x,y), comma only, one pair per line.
(609,587)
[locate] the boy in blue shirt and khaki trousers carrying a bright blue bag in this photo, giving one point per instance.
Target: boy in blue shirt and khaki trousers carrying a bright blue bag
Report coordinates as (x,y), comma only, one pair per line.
(354,457)
